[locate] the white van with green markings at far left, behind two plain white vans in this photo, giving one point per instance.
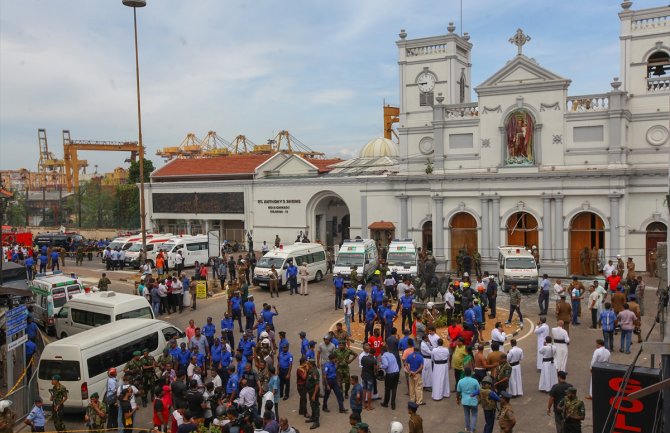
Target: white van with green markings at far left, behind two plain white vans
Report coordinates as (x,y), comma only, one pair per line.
(51,291)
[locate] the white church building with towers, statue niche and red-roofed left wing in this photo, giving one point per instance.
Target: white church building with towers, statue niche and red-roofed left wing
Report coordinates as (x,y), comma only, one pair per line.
(583,178)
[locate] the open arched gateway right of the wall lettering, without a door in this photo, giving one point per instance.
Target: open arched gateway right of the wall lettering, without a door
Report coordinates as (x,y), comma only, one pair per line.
(329,218)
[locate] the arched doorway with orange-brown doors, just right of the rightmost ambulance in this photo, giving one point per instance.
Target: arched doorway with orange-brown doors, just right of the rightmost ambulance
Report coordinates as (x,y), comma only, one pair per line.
(587,230)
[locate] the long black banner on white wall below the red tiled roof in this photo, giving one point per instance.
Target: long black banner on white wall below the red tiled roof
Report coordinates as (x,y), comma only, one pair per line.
(198,202)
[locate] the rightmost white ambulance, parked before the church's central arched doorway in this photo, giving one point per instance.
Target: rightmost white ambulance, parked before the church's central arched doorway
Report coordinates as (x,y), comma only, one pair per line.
(517,266)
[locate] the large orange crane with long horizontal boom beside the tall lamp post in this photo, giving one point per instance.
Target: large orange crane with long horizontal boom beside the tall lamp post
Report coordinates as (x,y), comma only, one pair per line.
(70,148)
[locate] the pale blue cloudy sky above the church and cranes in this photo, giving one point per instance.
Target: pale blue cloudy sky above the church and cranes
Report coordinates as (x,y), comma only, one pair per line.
(320,69)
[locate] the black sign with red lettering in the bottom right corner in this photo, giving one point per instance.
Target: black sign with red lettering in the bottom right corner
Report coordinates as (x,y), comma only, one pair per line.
(633,415)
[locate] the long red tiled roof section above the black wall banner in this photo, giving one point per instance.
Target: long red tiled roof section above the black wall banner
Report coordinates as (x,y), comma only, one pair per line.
(219,166)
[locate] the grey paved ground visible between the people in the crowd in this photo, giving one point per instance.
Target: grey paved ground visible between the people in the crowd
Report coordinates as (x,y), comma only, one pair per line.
(315,315)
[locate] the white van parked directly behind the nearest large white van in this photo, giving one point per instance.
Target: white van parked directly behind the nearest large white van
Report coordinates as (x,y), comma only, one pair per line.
(88,310)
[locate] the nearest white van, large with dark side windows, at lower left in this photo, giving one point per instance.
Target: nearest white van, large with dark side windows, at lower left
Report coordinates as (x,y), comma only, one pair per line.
(82,360)
